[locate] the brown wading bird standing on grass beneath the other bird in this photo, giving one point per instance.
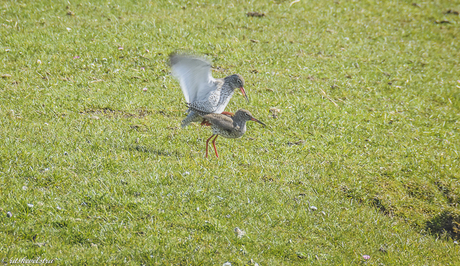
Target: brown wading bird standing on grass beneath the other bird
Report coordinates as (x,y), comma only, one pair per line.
(231,127)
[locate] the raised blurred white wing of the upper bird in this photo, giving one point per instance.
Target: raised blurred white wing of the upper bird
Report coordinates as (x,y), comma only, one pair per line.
(194,75)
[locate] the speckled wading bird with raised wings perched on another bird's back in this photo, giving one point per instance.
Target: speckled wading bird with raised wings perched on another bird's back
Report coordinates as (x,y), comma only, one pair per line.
(200,89)
